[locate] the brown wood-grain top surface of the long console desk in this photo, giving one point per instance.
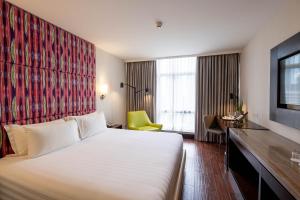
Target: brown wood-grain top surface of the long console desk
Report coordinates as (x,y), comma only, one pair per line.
(274,153)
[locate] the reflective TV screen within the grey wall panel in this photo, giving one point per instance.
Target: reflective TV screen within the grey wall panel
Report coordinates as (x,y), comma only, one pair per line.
(289,82)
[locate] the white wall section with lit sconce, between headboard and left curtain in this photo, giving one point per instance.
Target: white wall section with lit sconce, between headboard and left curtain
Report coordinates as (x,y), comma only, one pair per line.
(110,70)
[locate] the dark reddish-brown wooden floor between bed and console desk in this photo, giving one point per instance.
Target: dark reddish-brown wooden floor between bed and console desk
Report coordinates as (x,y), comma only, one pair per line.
(205,175)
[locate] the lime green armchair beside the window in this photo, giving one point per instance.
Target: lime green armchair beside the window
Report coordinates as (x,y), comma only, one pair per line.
(139,120)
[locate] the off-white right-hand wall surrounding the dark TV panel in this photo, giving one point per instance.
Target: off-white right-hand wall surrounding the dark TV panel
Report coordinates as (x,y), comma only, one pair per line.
(255,66)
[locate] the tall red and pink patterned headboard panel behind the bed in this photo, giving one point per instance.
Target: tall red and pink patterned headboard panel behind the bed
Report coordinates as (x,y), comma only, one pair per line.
(46,73)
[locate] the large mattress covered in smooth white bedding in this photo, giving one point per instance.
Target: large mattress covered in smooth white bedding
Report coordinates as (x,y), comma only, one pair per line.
(115,164)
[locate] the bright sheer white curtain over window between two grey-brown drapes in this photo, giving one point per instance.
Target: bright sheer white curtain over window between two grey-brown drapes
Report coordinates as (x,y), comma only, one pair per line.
(175,107)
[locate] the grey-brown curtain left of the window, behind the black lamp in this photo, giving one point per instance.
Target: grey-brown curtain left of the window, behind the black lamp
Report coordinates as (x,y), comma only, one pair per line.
(141,75)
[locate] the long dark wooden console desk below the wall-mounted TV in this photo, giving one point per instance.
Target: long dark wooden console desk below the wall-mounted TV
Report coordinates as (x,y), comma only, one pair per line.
(259,161)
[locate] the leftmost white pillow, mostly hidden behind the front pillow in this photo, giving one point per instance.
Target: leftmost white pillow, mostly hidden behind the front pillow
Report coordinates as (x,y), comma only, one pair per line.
(17,137)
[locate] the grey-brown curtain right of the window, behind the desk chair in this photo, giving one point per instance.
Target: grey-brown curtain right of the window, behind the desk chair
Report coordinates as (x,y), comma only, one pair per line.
(217,76)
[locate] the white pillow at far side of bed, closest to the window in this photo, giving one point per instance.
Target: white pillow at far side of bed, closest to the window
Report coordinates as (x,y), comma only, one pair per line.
(90,124)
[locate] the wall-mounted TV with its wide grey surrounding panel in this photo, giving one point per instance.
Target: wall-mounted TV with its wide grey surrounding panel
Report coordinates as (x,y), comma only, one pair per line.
(285,82)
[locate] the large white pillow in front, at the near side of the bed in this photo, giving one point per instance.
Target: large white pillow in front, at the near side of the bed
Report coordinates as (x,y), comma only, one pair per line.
(45,139)
